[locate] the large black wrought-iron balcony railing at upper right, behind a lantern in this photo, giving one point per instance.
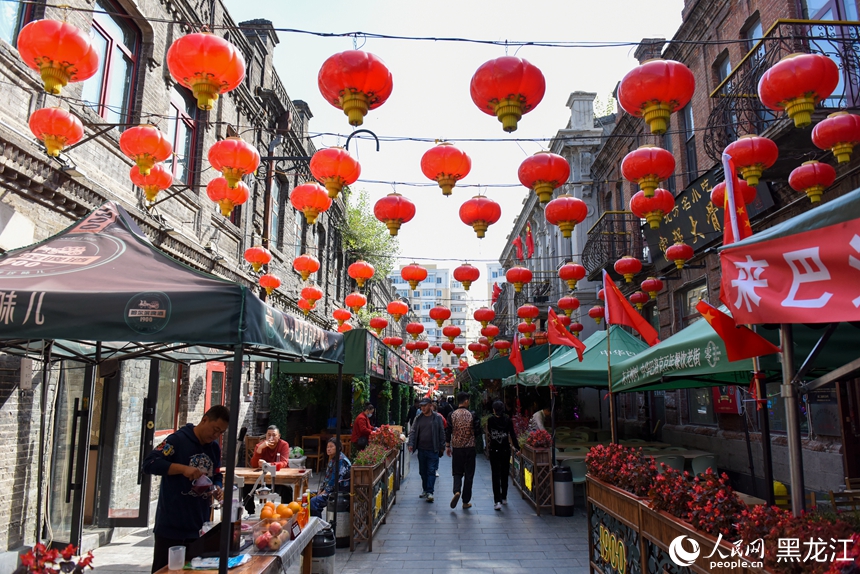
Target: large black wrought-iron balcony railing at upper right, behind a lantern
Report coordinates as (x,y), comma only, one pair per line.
(738,111)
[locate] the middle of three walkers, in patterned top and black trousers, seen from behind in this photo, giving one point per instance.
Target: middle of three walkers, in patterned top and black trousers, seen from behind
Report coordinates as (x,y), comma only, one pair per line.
(463,426)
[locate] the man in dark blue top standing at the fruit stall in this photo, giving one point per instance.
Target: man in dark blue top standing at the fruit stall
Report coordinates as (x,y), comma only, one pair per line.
(181,458)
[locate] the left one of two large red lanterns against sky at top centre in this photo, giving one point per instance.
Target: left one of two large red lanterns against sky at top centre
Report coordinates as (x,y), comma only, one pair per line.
(356,82)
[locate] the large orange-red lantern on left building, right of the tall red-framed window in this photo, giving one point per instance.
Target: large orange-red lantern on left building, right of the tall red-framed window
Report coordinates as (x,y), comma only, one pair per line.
(206,64)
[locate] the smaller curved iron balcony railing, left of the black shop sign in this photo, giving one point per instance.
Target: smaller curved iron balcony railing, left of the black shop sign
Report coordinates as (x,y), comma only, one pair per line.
(614,235)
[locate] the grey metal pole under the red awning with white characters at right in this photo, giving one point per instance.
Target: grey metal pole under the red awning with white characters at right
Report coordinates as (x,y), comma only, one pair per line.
(792,431)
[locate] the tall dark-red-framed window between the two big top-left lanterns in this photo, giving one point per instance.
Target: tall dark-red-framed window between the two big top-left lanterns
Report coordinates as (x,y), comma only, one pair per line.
(116,39)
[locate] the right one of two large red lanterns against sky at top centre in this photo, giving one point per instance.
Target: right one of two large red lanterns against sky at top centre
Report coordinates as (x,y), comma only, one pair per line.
(507,88)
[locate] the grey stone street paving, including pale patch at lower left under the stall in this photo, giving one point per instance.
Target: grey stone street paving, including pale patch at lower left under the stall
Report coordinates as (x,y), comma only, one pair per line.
(434,539)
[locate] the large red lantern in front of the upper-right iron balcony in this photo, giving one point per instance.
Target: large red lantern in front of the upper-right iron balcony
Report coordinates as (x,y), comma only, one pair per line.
(797,83)
